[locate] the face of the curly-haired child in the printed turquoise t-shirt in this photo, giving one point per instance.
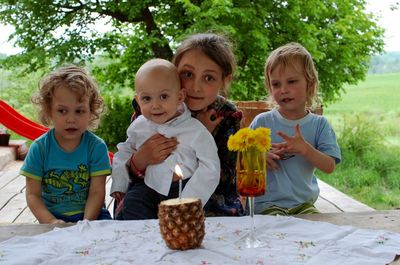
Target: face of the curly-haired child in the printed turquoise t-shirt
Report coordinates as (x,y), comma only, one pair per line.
(69,116)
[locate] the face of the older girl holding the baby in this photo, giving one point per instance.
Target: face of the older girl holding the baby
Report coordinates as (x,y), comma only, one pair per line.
(202,79)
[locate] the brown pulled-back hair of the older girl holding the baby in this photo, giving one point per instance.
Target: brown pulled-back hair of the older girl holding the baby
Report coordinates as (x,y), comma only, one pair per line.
(217,47)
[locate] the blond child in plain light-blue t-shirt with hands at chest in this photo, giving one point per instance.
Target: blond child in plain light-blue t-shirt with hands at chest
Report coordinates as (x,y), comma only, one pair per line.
(301,140)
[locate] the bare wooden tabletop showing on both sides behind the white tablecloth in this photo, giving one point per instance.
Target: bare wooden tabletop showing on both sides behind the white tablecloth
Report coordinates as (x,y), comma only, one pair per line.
(386,220)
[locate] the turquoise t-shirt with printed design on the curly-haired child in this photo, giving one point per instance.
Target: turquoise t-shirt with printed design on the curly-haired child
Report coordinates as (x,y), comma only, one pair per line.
(65,176)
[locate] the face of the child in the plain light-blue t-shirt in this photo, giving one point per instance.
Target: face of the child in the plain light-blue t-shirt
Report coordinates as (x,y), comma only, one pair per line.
(288,86)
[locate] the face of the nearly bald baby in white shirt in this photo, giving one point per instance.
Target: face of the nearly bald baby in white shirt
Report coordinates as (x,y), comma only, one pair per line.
(159,96)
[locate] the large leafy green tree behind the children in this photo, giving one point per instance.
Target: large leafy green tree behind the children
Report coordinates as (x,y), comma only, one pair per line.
(339,34)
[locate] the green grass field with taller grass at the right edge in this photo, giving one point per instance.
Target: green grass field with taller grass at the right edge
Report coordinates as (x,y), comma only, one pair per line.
(367,122)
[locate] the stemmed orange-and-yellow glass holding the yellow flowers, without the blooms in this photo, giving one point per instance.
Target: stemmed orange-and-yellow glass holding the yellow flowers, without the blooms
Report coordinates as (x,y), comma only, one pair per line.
(251,182)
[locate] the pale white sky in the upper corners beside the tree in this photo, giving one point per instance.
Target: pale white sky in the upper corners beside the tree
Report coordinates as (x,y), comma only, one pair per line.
(388,19)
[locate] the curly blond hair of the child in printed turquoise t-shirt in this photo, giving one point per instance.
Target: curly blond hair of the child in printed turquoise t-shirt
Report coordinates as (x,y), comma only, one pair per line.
(78,81)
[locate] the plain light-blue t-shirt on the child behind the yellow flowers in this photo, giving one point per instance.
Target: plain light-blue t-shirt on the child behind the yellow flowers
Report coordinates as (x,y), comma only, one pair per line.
(294,183)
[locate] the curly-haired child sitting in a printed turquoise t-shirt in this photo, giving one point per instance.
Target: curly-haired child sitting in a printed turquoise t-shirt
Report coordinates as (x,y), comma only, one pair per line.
(66,168)
